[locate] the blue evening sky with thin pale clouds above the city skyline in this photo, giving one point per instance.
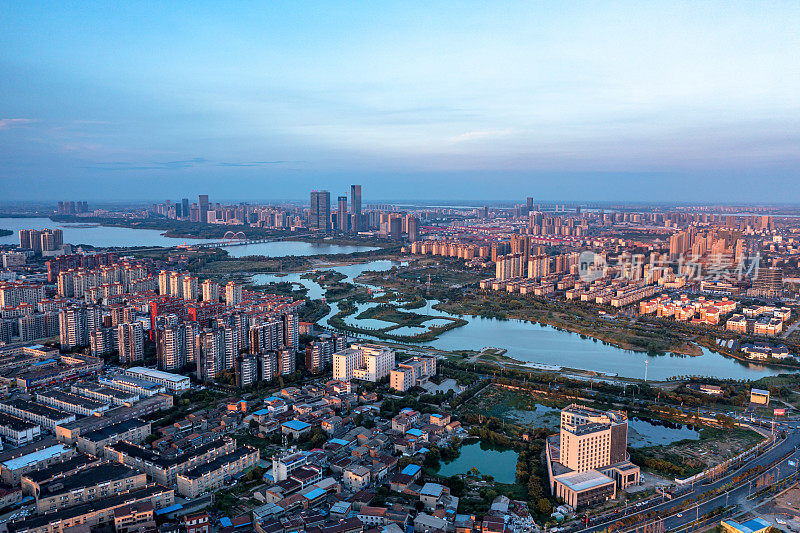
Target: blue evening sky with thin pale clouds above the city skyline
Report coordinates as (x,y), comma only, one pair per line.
(460,100)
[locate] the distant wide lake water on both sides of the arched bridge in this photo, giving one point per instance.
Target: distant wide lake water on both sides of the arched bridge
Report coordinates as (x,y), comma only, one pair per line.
(107,236)
